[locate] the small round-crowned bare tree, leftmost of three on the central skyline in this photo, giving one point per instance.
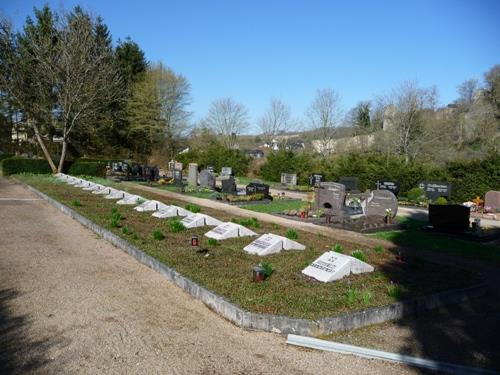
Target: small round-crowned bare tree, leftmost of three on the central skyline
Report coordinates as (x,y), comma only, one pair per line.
(228,119)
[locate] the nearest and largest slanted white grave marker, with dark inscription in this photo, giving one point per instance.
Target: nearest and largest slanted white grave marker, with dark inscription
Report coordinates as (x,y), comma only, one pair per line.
(333,266)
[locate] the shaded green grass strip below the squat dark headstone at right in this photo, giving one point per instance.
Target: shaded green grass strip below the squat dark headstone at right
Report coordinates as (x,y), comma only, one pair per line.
(415,236)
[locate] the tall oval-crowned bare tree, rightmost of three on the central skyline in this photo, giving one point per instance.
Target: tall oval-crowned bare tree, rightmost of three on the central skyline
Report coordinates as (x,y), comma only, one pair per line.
(325,115)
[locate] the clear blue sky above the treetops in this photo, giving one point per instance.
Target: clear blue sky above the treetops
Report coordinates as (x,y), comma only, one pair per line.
(255,50)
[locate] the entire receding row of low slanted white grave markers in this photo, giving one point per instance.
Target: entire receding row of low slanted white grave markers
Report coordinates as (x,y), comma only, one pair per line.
(328,267)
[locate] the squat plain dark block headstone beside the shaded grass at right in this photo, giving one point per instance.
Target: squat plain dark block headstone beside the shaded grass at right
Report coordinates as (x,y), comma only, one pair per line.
(449,217)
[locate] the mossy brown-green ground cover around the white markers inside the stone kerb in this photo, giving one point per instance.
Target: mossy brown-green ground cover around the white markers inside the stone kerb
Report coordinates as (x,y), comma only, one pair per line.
(227,271)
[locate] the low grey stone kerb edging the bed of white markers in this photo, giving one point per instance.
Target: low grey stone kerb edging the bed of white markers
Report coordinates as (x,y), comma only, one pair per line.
(268,322)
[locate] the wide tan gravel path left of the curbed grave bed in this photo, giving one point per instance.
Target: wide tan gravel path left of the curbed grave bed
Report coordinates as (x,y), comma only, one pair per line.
(71,302)
